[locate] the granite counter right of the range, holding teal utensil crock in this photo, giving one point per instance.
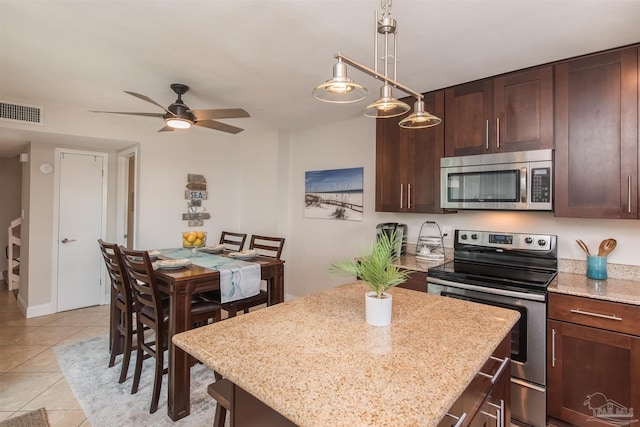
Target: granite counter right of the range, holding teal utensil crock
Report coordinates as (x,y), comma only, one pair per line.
(616,290)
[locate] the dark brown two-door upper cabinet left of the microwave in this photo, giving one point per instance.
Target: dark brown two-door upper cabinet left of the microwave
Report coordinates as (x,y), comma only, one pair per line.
(408,163)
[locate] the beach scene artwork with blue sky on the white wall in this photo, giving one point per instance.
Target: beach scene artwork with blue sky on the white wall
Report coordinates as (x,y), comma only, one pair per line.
(334,194)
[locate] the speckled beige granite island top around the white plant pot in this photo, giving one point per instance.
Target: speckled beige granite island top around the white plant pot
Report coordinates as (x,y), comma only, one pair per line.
(317,362)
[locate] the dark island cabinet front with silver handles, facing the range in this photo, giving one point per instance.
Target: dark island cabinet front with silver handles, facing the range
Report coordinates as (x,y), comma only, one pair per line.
(486,402)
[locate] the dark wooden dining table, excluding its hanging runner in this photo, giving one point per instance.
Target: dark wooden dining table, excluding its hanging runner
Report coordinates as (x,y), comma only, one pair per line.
(180,285)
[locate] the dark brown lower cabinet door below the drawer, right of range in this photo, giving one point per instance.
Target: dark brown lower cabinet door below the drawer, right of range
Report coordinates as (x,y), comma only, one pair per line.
(590,372)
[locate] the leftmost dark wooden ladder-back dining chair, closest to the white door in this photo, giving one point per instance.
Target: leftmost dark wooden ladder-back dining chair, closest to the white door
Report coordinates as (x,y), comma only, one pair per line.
(122,307)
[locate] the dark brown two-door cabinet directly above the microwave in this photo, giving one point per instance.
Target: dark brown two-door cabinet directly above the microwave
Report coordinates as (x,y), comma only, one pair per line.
(512,112)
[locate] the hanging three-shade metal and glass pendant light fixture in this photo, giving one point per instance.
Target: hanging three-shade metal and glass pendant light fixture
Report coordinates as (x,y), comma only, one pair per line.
(341,89)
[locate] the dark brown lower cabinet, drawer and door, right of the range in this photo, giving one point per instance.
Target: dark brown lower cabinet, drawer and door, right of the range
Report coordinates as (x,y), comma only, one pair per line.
(593,372)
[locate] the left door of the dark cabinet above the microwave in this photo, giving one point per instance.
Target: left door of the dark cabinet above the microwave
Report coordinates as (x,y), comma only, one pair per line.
(468,119)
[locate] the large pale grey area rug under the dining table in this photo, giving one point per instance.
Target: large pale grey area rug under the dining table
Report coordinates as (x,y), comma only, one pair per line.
(107,403)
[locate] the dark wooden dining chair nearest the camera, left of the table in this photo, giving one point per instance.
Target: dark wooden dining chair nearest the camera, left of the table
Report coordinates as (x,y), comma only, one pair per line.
(152,311)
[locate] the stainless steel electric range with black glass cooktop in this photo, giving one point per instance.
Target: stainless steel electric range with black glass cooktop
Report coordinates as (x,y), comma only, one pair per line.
(509,270)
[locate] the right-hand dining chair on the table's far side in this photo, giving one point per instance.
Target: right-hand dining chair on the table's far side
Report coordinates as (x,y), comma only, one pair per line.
(265,246)
